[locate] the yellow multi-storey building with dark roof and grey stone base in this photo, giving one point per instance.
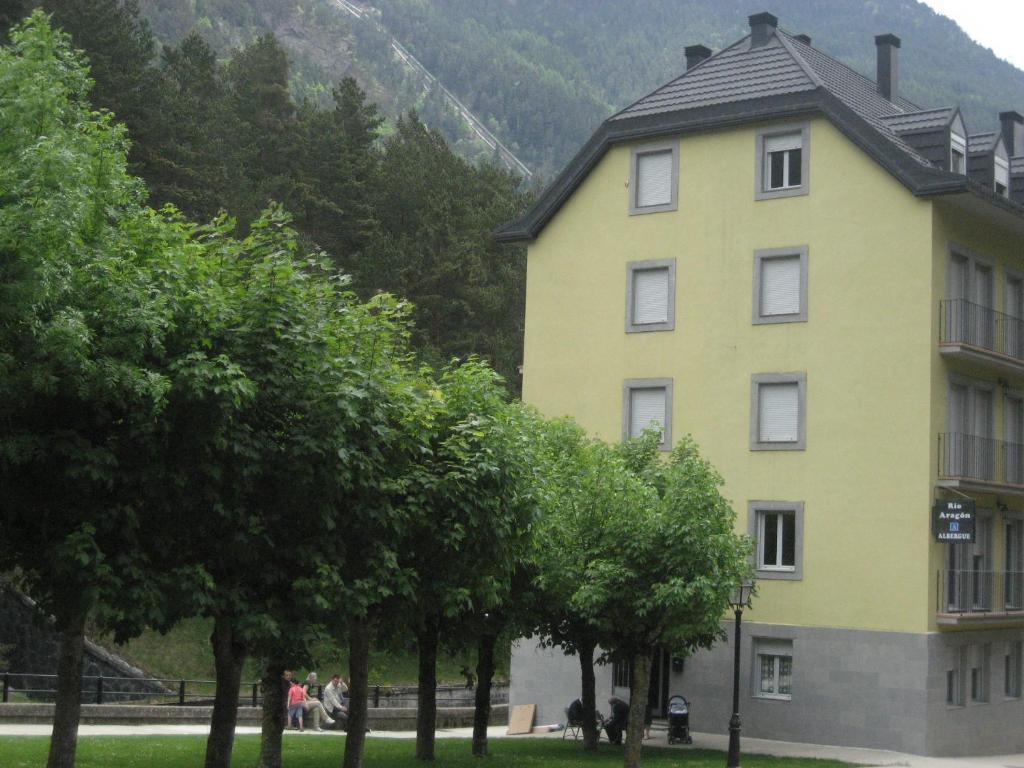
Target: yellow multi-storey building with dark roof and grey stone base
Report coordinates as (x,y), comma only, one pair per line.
(824,284)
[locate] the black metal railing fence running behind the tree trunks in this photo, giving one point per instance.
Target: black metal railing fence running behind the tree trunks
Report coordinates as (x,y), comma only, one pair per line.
(183,693)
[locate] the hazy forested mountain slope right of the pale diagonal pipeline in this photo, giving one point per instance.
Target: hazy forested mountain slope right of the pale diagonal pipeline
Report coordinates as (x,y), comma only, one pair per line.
(547,72)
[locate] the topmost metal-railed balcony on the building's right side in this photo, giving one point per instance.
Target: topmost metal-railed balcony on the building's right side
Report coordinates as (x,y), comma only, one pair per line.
(978,334)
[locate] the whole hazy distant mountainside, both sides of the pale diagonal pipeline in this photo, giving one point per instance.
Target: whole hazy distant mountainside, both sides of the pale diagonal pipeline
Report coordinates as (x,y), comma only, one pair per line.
(542,74)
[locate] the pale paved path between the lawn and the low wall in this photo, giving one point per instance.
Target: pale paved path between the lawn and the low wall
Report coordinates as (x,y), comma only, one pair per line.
(704,741)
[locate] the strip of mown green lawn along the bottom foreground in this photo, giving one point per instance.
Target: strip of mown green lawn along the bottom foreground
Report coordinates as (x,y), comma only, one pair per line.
(311,750)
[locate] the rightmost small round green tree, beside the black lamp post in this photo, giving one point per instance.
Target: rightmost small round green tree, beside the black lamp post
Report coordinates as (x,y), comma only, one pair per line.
(668,579)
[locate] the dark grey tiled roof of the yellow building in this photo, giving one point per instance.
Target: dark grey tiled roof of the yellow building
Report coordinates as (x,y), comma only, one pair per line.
(783,79)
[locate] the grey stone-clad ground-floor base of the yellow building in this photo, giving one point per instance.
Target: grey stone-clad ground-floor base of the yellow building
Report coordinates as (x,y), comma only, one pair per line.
(849,688)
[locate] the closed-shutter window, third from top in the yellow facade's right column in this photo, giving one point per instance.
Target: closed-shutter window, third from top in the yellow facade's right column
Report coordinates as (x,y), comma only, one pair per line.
(779,413)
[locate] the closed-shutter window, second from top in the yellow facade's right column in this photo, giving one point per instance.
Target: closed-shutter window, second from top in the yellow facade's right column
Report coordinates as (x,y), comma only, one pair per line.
(781,285)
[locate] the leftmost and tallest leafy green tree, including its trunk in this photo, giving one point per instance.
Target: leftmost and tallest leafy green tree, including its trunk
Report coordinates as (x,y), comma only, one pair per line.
(82,327)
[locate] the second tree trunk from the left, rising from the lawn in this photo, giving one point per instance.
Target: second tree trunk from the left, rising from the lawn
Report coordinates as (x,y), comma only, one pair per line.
(229,656)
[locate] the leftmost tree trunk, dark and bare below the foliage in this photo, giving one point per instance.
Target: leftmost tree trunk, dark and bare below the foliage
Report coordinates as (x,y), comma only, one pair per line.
(64,740)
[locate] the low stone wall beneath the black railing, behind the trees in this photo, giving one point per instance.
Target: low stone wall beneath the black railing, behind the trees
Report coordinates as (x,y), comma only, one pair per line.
(380,719)
